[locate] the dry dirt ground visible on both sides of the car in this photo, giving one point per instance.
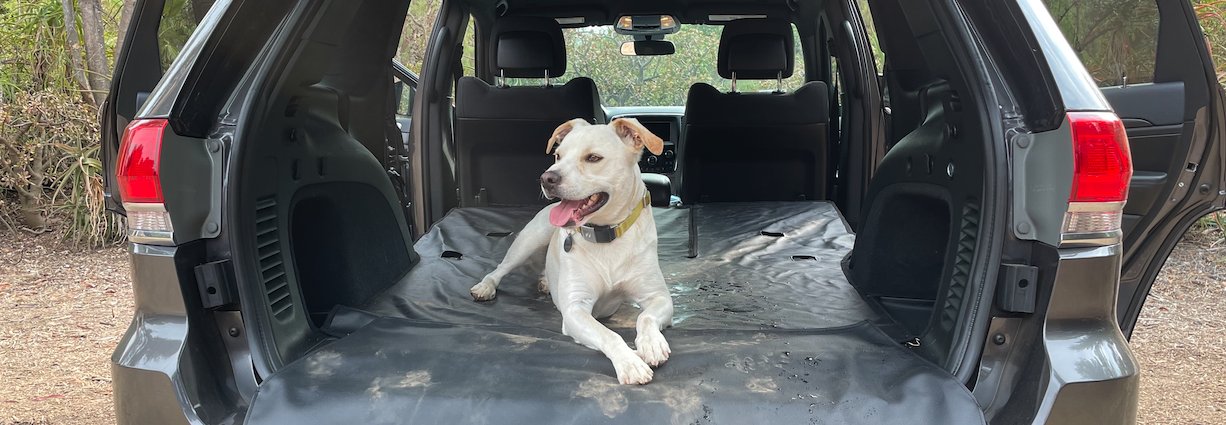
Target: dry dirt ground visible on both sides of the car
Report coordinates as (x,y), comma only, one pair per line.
(63,312)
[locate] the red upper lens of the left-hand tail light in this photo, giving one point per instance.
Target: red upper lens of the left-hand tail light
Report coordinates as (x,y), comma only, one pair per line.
(140,156)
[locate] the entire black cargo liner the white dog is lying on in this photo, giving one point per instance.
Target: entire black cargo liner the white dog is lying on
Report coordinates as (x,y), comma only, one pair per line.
(767,330)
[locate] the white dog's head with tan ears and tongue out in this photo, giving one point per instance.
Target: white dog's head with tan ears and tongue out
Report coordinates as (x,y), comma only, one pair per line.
(596,171)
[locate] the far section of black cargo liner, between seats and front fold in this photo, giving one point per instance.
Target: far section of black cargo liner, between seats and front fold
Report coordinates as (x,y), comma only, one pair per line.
(758,266)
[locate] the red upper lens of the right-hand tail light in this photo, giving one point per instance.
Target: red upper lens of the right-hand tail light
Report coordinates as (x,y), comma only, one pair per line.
(1103,165)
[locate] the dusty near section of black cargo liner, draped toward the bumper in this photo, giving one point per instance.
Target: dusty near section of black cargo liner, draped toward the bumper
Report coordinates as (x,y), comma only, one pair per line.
(403,372)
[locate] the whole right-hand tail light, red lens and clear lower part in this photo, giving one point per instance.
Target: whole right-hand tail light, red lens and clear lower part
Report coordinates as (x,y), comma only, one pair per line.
(1103,167)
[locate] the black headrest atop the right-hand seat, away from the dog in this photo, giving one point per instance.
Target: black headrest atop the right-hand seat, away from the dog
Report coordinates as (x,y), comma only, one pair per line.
(757,50)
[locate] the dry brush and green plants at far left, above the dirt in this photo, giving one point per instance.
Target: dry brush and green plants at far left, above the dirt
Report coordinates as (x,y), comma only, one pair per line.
(51,176)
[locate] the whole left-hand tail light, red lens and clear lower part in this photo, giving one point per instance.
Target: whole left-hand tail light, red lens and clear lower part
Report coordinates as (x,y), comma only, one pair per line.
(138,175)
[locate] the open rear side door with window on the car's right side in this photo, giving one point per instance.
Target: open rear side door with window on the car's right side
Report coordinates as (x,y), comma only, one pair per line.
(1154,66)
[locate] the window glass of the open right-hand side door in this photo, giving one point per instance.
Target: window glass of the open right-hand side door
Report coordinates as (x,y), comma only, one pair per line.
(1116,41)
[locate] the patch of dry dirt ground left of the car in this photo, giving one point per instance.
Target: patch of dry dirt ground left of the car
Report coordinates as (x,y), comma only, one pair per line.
(62,314)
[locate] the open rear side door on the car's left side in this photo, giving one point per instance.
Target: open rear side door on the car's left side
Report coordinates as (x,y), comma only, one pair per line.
(159,30)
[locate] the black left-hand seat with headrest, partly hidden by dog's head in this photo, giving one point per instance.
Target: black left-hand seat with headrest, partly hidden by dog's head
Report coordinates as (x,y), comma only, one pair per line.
(502,132)
